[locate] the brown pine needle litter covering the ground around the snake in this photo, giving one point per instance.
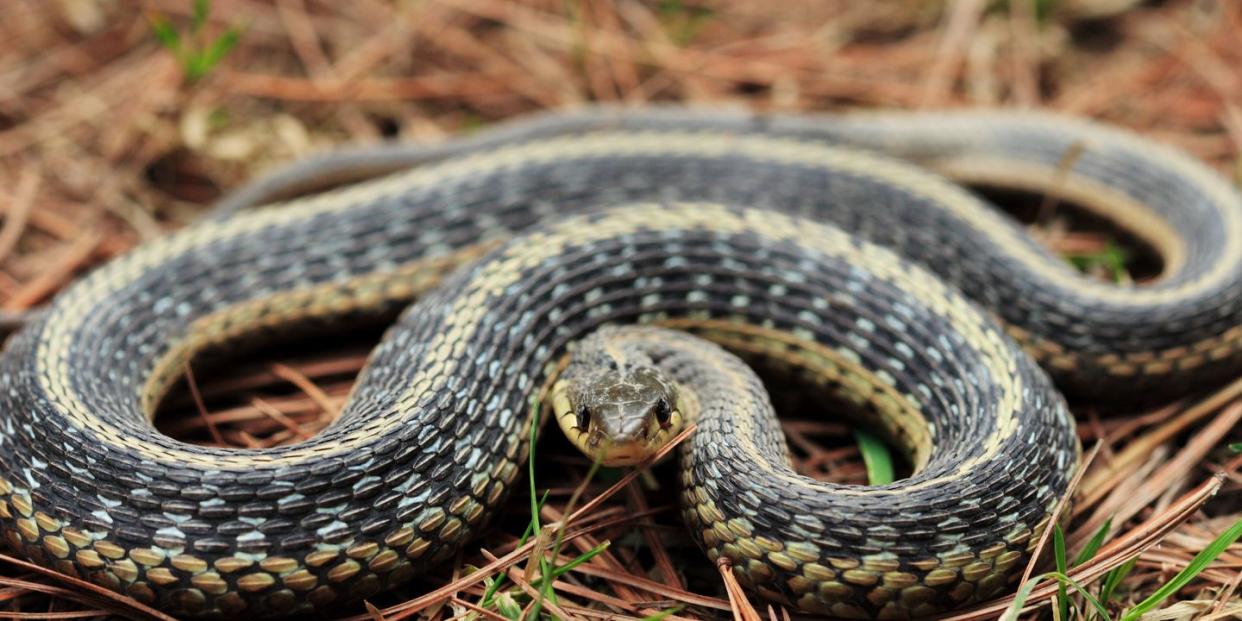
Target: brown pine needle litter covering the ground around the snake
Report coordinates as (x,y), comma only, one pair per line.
(107,138)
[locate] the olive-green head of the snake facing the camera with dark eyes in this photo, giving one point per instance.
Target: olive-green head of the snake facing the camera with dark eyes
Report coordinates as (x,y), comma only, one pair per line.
(617,409)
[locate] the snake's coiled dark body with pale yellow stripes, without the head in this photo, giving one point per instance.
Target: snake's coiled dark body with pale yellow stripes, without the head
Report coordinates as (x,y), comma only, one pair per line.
(782,238)
